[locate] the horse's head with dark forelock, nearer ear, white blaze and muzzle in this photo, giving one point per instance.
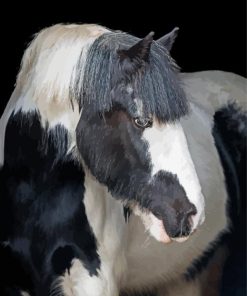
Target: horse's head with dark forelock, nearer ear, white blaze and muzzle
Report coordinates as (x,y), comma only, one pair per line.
(135,144)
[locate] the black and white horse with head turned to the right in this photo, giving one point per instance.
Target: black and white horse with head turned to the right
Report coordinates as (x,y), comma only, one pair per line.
(115,166)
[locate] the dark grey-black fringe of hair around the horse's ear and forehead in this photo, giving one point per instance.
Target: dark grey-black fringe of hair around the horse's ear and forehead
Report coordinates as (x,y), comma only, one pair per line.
(156,84)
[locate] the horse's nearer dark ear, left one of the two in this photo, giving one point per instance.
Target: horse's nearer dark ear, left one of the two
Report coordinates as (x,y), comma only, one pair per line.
(139,51)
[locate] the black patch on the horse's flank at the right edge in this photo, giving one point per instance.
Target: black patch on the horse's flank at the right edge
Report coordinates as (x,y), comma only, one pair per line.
(230,134)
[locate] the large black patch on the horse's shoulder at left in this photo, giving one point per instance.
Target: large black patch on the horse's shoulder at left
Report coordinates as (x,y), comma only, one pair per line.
(42,216)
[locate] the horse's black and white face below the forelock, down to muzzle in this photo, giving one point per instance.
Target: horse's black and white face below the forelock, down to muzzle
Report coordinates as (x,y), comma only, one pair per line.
(144,163)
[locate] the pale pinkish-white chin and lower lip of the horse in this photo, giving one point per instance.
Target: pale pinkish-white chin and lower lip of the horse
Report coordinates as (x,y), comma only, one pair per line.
(156,227)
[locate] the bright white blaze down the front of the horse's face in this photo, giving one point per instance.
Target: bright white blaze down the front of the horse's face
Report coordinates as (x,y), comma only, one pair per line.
(169,152)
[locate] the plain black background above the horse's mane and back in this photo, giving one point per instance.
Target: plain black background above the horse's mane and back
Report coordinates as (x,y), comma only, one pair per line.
(212,33)
